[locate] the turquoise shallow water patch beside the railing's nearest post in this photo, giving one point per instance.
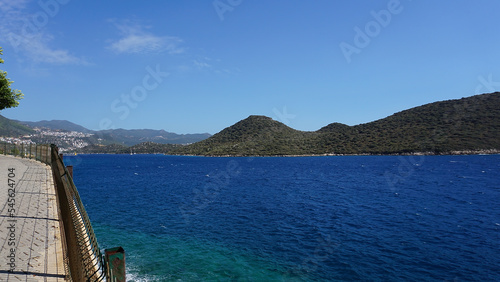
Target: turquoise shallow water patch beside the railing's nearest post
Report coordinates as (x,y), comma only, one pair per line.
(166,258)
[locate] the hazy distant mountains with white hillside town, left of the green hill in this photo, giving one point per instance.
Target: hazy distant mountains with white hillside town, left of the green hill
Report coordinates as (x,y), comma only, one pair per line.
(70,137)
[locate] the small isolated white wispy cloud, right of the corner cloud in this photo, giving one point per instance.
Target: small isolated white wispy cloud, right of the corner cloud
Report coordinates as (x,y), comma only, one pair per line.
(136,39)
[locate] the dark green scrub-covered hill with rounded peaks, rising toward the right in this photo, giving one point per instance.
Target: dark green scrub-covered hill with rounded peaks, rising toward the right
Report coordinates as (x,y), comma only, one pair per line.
(467,124)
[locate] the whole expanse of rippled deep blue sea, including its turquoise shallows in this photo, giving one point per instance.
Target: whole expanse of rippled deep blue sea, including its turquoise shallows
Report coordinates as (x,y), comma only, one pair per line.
(364,218)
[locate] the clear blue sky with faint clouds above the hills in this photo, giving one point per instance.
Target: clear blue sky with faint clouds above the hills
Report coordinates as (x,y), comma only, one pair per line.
(200,66)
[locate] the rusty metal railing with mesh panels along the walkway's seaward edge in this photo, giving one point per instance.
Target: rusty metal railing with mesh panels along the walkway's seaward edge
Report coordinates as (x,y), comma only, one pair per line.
(85,259)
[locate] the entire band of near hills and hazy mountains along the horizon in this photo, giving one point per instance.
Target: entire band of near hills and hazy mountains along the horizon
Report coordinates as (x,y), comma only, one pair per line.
(467,125)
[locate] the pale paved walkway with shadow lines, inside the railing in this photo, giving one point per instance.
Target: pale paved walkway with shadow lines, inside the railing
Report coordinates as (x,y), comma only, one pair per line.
(30,238)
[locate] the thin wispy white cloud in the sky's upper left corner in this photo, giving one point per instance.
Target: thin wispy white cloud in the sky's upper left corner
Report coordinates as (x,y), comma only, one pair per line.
(33,42)
